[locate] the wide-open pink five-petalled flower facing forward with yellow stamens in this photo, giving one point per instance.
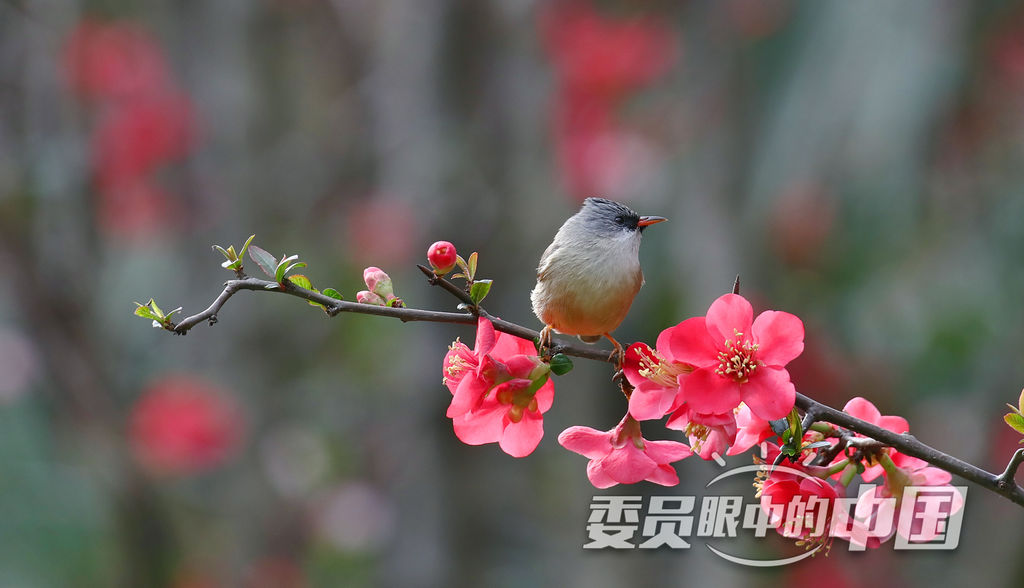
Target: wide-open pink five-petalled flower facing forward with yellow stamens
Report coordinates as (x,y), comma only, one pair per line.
(737,358)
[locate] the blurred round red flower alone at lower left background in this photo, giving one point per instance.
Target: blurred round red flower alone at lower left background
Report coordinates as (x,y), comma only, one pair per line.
(183,425)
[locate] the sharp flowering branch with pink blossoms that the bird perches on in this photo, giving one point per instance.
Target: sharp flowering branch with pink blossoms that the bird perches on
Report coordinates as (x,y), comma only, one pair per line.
(508,381)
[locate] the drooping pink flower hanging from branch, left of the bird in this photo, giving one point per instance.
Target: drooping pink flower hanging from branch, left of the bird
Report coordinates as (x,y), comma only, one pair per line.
(501,391)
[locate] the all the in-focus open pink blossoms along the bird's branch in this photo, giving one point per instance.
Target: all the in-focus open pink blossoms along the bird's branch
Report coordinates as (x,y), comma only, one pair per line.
(722,381)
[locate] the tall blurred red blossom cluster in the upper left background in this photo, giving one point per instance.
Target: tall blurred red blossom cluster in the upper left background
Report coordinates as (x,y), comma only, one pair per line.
(144,121)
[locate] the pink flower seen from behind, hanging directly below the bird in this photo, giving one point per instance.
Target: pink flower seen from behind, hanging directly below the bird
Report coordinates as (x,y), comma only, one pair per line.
(623,456)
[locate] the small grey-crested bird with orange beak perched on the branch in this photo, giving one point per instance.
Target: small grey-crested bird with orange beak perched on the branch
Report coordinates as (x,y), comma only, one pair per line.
(590,274)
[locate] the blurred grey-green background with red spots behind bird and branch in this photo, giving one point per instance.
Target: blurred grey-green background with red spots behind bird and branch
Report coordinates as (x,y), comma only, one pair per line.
(859,164)
